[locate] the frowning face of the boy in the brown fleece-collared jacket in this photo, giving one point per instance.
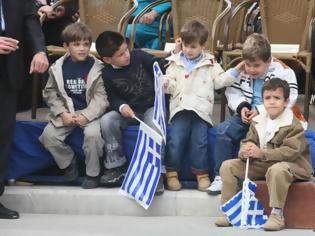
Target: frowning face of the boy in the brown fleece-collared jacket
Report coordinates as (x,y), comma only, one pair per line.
(274,102)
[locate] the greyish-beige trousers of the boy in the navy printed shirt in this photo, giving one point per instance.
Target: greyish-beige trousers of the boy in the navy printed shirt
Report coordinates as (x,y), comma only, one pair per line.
(53,140)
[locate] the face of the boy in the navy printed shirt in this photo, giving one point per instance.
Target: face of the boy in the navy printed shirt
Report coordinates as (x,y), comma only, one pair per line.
(78,50)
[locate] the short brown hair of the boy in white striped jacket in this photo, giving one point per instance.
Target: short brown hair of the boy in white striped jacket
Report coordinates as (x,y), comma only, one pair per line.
(256,46)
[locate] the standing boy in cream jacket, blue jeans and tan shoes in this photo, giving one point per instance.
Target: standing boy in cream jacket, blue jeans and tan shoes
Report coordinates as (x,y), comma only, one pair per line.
(191,78)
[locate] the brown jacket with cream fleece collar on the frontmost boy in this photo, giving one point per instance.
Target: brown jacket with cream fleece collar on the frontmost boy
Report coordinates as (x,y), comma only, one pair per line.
(287,142)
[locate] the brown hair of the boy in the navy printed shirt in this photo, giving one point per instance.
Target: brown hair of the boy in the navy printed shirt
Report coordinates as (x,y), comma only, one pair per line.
(76,32)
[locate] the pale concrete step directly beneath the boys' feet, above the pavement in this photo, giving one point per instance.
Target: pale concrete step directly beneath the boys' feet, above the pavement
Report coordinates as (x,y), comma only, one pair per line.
(106,201)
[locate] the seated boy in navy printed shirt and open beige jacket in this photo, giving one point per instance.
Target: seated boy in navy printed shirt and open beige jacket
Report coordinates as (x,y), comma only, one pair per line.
(77,98)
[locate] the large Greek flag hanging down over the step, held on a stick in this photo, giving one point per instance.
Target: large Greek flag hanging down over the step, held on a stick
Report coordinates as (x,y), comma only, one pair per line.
(145,168)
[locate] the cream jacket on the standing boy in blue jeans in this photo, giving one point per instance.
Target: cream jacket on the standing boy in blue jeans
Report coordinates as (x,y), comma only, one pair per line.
(195,91)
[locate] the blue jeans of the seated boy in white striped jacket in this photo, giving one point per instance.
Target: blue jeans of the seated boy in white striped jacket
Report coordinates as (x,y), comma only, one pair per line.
(229,135)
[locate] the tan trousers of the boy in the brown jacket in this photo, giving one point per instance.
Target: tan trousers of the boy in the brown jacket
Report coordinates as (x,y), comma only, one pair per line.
(277,174)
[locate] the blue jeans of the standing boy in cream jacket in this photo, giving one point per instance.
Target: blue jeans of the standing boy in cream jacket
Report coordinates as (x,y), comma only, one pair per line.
(188,133)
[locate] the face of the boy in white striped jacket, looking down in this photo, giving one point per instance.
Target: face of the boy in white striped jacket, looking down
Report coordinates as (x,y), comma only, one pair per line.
(256,68)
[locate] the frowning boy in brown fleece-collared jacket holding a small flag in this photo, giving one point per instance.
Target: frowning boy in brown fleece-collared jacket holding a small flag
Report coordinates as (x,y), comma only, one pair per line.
(277,149)
